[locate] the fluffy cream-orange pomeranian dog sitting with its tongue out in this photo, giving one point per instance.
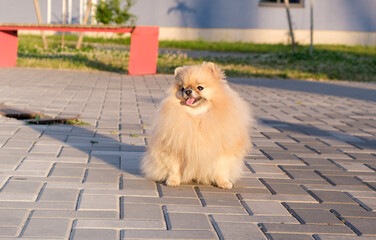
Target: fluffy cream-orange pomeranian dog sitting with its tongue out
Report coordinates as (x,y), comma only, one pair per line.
(201,132)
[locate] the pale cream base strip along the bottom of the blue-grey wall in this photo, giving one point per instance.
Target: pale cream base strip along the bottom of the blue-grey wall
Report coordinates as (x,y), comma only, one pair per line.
(251,35)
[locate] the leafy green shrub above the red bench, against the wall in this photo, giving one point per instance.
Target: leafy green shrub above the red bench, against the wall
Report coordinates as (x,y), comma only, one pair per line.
(110,12)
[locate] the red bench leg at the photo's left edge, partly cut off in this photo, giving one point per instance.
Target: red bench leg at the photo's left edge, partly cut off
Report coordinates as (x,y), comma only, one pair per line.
(8,48)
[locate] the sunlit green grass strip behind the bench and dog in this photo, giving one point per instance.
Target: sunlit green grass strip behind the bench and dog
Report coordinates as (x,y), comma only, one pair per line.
(334,62)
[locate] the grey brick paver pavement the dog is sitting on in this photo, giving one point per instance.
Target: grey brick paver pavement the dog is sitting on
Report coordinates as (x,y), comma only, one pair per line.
(311,174)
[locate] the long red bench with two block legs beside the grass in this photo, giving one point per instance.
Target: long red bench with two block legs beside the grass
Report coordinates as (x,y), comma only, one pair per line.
(143,49)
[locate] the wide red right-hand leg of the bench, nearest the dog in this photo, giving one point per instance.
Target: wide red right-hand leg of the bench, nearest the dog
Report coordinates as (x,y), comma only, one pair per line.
(144,51)
